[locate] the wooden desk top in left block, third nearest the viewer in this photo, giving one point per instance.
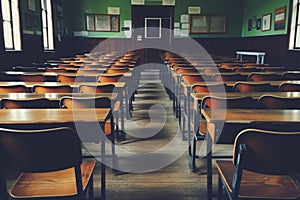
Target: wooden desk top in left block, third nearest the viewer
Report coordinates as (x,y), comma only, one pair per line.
(72,84)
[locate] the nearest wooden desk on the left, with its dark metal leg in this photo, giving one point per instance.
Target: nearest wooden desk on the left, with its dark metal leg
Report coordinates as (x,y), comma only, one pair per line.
(11,118)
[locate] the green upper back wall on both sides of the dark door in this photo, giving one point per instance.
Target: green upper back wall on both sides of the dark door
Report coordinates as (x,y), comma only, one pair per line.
(75,17)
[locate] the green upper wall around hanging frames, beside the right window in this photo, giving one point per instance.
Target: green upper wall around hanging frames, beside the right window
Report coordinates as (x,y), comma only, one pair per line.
(259,8)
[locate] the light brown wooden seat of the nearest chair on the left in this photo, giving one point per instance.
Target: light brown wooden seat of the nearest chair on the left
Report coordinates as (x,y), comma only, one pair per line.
(51,184)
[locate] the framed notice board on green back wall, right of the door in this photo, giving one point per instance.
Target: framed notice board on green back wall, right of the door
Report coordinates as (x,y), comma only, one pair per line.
(207,23)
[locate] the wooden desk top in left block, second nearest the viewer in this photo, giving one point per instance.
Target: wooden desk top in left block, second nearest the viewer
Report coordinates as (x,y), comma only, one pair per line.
(54,96)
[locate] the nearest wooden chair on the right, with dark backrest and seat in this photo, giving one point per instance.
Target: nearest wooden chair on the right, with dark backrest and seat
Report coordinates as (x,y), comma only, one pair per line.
(263,161)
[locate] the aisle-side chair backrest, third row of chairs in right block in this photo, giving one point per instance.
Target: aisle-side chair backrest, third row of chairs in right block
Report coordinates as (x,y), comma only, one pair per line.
(205,88)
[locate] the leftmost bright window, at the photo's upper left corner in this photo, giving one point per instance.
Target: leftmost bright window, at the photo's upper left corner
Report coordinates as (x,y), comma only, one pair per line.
(11,24)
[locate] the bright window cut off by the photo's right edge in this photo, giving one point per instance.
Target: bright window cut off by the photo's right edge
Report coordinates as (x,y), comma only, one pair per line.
(295,26)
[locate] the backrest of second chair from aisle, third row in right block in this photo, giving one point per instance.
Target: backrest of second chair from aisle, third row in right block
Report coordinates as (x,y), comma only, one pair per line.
(253,87)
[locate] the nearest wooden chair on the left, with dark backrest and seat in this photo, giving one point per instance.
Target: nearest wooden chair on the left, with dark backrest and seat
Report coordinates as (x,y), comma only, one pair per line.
(50,161)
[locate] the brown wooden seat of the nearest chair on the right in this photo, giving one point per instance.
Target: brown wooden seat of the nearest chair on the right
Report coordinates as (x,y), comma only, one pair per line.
(262,185)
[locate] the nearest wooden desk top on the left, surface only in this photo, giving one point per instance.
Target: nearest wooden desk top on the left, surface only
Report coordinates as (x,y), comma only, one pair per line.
(49,116)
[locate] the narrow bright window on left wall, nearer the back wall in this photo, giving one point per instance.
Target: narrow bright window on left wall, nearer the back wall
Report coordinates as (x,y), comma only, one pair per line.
(47,25)
